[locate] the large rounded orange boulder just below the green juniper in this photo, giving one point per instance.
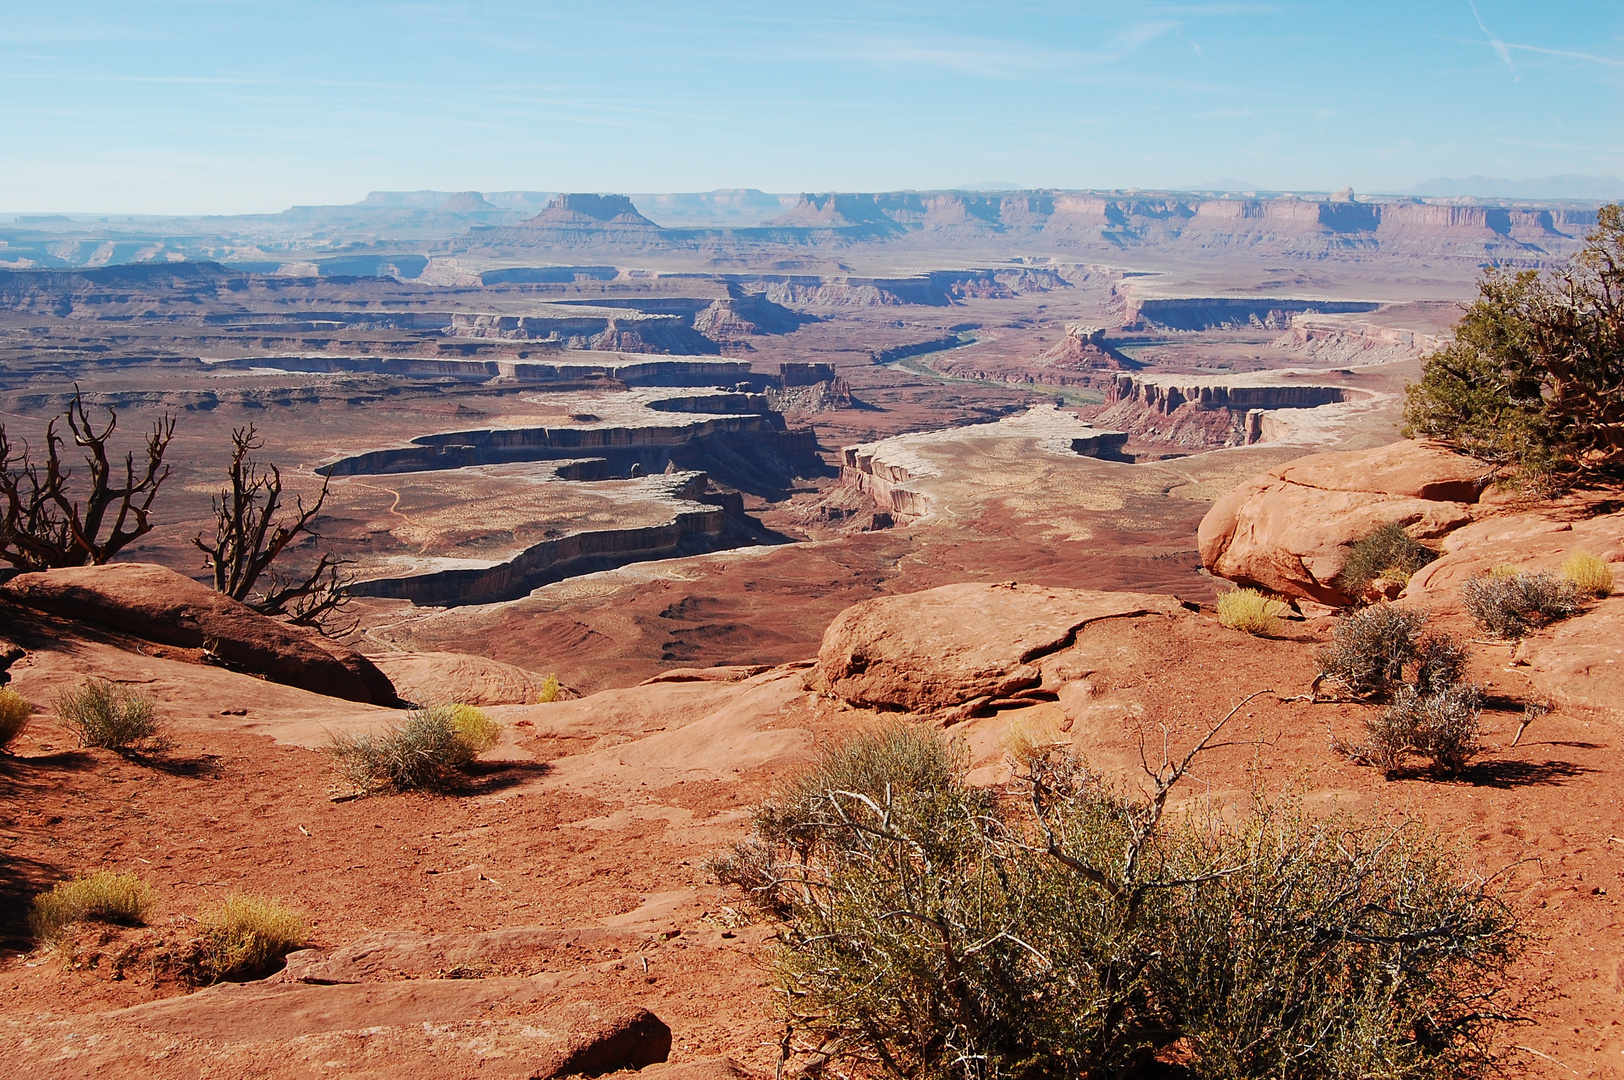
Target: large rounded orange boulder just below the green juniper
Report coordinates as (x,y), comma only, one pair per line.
(1290,530)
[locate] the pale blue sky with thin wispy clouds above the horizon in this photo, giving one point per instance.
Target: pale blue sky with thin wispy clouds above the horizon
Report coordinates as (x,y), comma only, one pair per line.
(240,106)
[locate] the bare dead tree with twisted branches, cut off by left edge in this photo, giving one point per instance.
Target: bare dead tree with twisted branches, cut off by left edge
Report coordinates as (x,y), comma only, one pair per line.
(61,517)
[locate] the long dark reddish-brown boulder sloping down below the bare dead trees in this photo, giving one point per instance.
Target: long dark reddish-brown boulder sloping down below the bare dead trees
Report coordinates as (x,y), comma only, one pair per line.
(158,605)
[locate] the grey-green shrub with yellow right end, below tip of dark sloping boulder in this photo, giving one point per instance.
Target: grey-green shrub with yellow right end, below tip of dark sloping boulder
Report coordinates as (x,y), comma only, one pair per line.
(423,753)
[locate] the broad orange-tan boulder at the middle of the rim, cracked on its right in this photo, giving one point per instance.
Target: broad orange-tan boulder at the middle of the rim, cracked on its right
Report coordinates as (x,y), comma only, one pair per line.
(957,644)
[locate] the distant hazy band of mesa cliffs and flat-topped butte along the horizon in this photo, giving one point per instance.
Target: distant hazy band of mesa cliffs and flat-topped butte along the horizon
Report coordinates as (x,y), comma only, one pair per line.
(1268,227)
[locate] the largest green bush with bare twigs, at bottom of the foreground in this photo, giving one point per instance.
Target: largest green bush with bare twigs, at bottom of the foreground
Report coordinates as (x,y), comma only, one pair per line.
(935,931)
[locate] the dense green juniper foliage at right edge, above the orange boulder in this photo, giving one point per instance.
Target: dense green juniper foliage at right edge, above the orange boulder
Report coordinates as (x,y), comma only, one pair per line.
(1534,378)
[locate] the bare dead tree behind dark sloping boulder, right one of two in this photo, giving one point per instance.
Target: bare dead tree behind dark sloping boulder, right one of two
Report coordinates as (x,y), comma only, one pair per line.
(253,532)
